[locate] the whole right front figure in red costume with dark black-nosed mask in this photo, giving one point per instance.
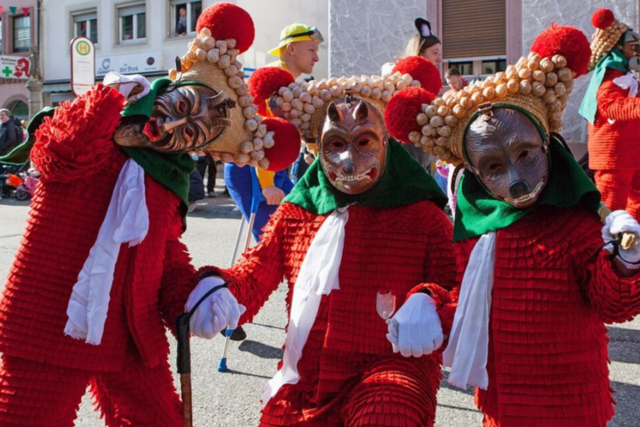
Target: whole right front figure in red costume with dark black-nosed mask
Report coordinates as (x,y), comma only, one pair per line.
(536,288)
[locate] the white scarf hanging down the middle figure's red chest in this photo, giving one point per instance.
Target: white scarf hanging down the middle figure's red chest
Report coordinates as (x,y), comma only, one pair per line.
(318,276)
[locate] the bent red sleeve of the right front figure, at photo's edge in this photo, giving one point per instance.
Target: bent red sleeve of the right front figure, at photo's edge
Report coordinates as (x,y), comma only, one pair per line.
(615,298)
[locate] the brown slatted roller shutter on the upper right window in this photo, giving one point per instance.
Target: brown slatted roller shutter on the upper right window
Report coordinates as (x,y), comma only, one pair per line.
(474,28)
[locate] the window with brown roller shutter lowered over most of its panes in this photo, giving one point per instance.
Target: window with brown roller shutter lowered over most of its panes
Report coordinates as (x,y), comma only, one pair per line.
(476,47)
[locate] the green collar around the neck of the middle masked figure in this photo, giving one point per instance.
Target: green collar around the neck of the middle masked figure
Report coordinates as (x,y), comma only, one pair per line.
(404,182)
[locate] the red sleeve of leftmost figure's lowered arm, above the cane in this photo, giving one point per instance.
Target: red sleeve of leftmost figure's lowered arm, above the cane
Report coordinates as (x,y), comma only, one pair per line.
(179,277)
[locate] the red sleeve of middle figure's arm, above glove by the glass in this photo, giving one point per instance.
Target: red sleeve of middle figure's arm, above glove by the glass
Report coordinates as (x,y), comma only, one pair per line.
(440,268)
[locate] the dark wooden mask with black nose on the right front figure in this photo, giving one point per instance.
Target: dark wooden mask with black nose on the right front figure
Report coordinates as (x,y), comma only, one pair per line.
(508,155)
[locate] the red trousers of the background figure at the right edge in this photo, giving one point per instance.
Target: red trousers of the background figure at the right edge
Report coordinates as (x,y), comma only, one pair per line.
(620,190)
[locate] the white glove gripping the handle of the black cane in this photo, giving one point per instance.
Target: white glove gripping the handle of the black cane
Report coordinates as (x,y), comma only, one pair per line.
(217,312)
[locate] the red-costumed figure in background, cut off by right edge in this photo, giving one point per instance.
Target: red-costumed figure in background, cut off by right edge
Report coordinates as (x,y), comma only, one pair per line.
(612,108)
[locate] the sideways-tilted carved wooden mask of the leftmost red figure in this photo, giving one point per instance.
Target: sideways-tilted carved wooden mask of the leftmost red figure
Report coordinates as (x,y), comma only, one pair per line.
(183,118)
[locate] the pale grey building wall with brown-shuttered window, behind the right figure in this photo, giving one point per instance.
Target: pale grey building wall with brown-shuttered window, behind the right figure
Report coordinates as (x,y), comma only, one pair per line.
(479,37)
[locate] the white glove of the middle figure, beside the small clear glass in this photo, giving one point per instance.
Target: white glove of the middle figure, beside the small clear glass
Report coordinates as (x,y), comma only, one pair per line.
(415,330)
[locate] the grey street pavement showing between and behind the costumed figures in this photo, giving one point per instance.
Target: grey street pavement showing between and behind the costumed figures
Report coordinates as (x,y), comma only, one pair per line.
(232,399)
